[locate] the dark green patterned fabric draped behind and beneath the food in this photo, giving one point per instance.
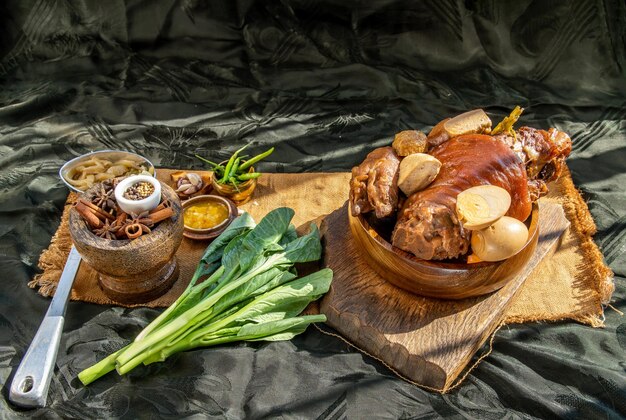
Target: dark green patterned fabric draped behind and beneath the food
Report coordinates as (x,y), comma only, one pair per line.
(324,82)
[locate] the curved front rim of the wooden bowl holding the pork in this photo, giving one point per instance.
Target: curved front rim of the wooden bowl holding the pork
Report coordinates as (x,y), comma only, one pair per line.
(533,230)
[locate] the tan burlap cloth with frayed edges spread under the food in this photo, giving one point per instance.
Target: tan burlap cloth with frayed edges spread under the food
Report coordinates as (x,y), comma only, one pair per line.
(573,284)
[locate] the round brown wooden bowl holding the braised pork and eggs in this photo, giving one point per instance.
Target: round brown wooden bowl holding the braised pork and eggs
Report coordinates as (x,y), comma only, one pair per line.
(438,279)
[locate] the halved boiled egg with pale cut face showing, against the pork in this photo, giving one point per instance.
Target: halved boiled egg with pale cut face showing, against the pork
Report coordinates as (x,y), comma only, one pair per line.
(480,206)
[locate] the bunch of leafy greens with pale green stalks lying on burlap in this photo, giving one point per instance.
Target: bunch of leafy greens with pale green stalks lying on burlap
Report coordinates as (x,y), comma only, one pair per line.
(244,289)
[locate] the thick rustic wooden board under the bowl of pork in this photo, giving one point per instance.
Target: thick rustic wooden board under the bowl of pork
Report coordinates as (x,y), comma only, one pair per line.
(429,341)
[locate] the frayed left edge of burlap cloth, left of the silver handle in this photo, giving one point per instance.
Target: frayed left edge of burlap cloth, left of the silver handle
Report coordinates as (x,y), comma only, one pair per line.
(52,260)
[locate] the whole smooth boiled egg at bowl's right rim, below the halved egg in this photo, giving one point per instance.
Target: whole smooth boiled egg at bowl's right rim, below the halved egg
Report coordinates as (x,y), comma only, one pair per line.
(499,241)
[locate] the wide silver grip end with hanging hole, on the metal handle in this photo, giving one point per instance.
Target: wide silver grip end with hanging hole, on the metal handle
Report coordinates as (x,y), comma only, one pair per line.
(29,387)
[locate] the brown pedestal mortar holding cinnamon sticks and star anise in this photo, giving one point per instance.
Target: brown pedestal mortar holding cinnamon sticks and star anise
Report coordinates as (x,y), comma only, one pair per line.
(132,271)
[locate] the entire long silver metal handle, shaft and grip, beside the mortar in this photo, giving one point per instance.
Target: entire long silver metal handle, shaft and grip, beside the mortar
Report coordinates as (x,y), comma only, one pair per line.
(32,378)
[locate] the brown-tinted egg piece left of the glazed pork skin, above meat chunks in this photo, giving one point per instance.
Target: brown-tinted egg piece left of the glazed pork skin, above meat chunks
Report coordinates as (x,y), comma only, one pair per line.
(417,171)
